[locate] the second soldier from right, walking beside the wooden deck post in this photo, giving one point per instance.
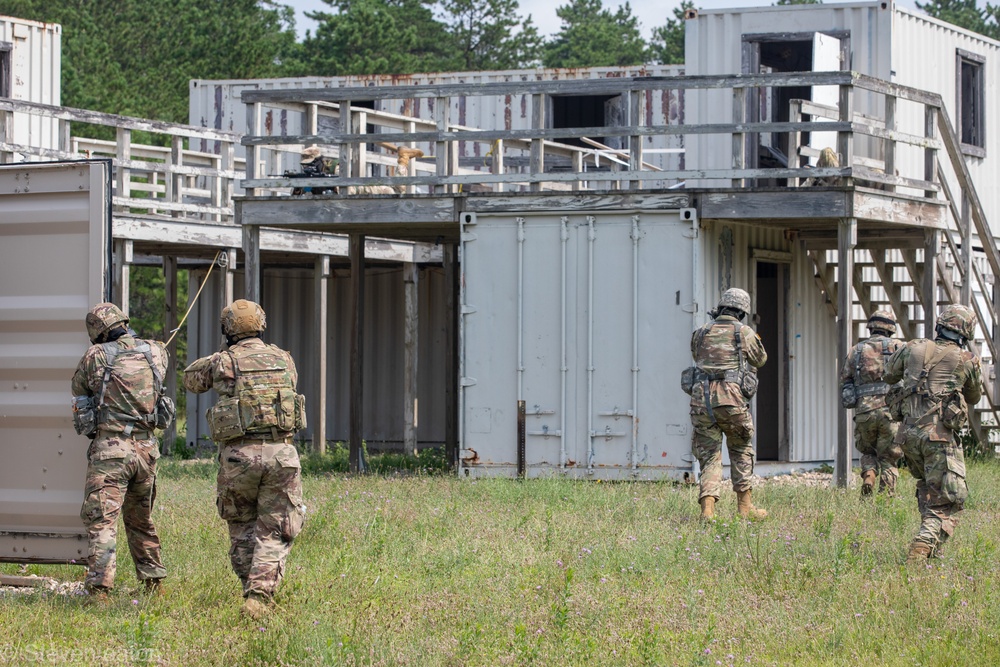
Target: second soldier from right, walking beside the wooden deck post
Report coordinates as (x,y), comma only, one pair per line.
(863,388)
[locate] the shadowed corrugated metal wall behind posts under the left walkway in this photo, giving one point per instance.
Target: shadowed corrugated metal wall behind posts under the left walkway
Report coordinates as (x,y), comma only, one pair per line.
(288,300)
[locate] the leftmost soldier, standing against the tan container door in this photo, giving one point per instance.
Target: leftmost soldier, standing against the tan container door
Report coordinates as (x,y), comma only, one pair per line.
(121,460)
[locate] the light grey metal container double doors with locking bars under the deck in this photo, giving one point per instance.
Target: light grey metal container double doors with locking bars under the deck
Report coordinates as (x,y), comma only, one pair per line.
(581,316)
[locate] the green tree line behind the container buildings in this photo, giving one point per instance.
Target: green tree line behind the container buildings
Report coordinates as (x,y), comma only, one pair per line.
(136,57)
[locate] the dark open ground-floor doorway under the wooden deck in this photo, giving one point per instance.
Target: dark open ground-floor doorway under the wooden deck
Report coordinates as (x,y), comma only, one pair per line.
(771,411)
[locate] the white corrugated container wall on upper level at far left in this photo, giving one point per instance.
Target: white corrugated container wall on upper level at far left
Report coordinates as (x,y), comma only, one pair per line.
(36,62)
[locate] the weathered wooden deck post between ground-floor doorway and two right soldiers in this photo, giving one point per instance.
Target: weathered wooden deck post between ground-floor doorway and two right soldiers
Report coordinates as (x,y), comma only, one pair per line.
(847,239)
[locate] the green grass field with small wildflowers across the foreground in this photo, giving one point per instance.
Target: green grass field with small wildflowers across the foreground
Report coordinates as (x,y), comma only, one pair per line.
(432,570)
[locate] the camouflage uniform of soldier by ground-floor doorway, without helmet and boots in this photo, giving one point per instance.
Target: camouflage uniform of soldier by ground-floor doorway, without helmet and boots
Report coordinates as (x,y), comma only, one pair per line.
(724,411)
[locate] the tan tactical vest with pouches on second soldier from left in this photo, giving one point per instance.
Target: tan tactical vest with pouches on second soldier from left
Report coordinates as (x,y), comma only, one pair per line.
(264,403)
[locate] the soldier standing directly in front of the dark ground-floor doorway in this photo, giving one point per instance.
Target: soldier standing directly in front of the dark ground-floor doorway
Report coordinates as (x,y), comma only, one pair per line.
(726,354)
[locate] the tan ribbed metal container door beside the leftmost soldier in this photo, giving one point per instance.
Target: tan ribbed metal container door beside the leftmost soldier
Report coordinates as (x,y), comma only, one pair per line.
(55,235)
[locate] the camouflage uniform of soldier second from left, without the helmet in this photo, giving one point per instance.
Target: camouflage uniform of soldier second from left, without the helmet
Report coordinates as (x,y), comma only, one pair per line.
(259,491)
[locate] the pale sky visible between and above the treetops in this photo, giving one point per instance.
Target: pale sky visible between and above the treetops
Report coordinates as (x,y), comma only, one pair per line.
(651,13)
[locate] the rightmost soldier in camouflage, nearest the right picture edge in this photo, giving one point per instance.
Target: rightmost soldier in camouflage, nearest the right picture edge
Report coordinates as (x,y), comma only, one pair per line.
(939,381)
